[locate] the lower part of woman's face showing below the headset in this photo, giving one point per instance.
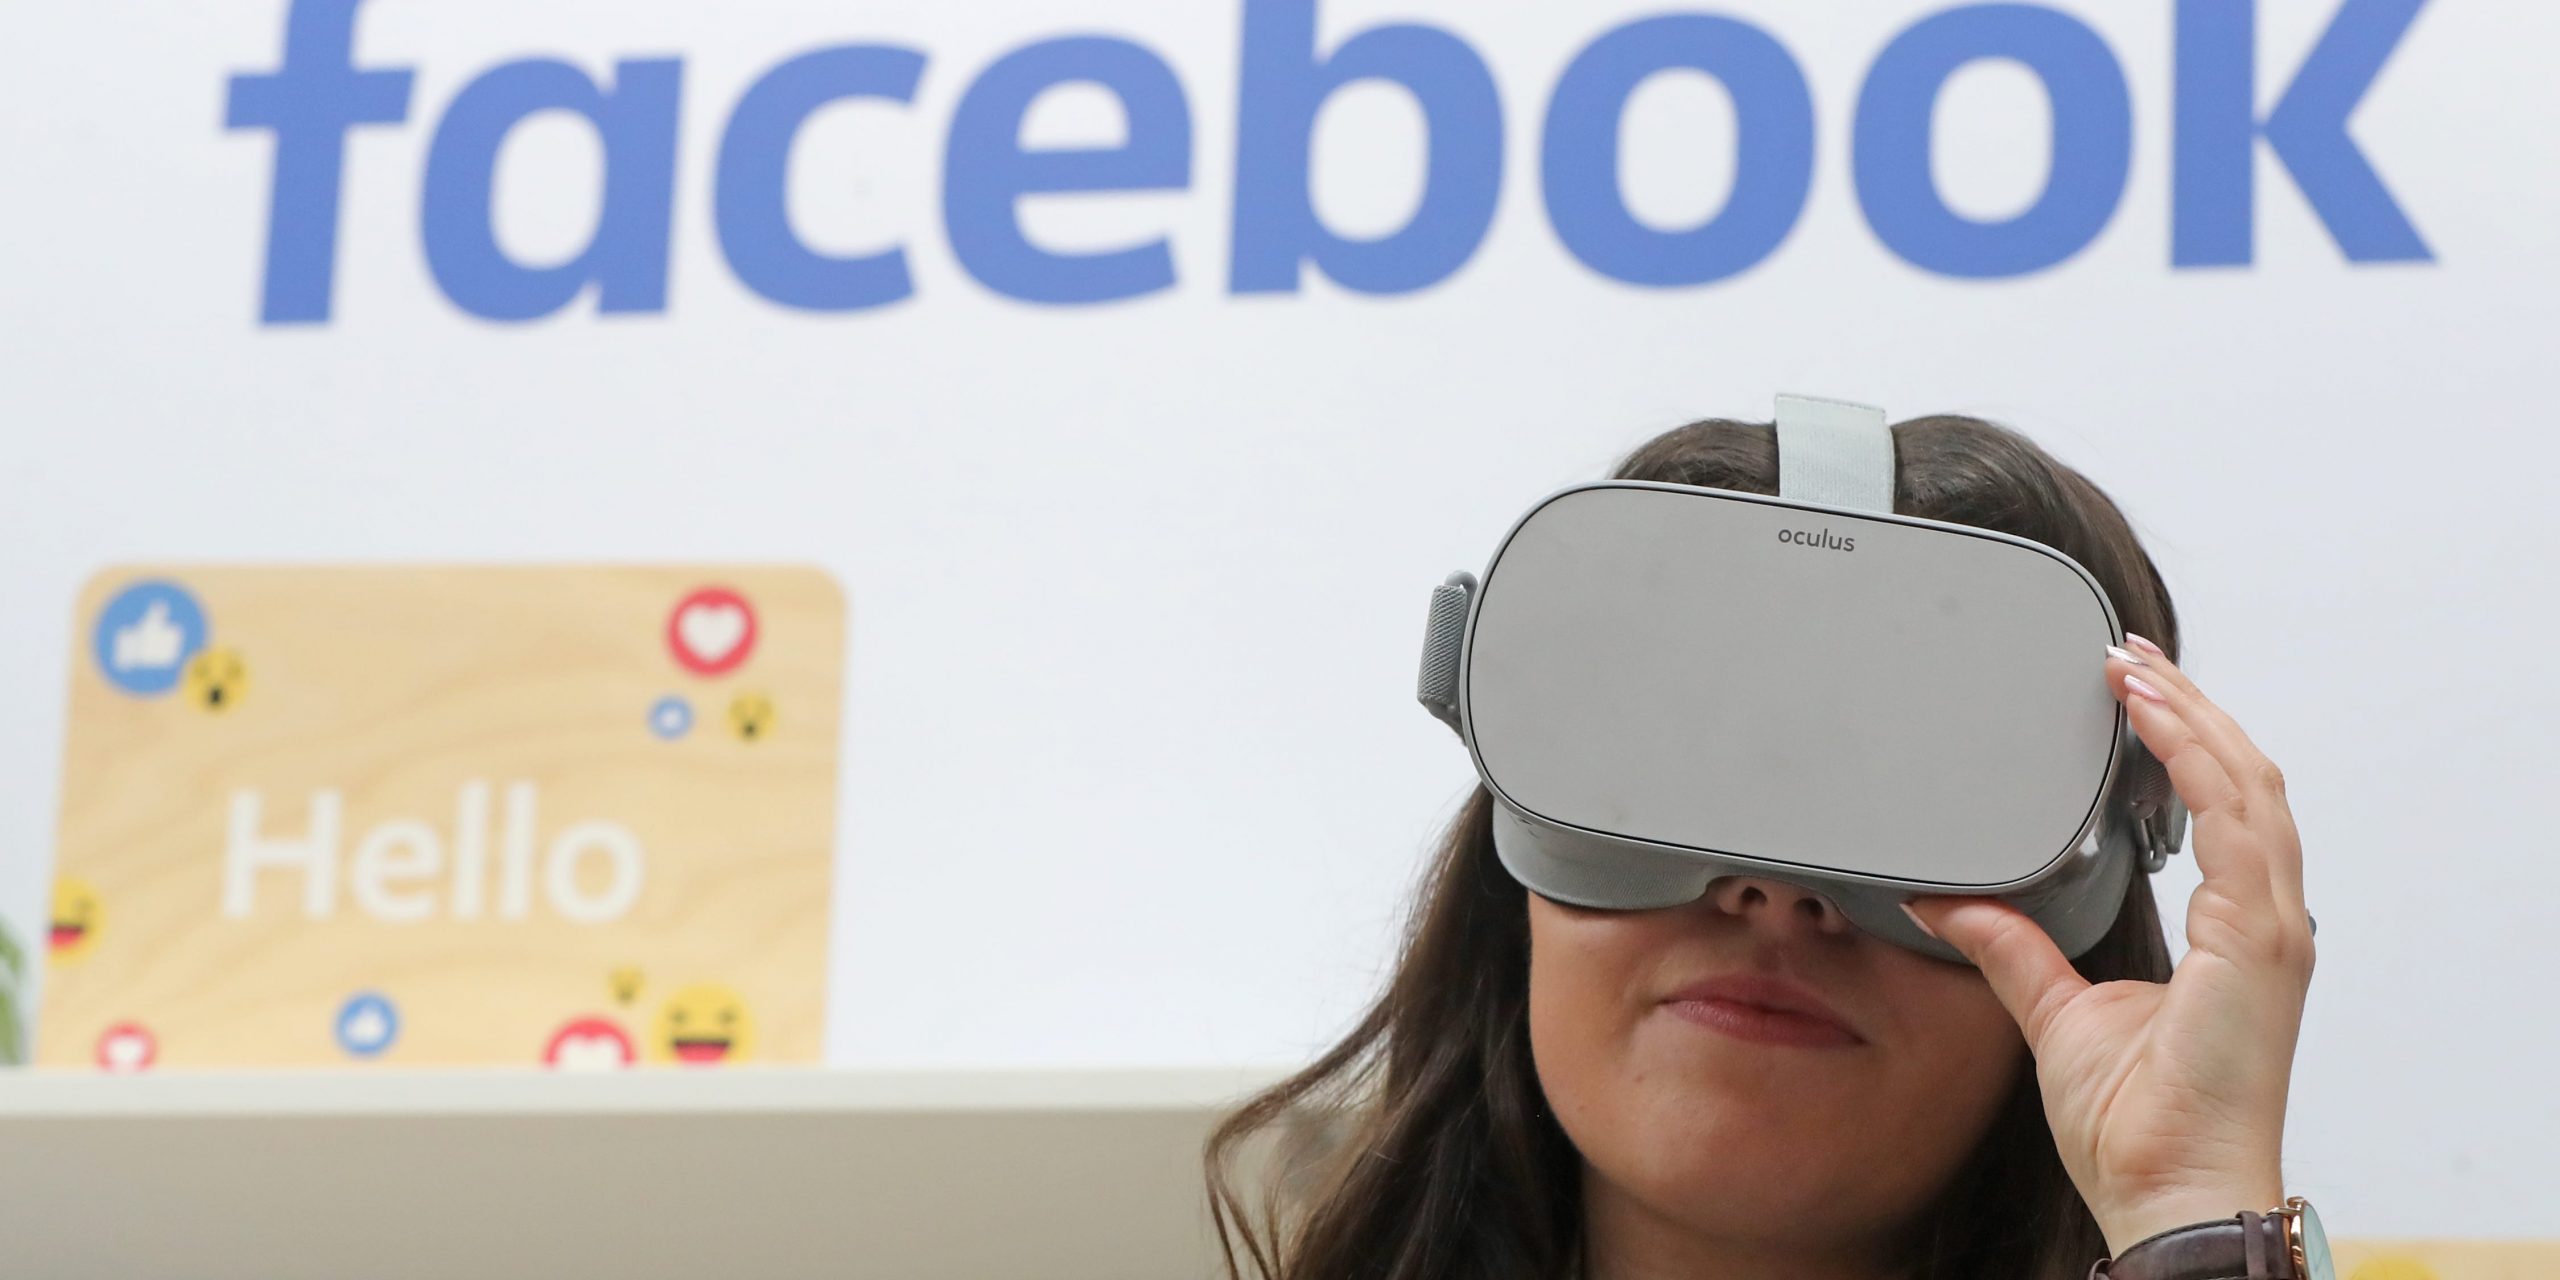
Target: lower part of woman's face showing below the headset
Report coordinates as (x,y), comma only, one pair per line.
(1711,1115)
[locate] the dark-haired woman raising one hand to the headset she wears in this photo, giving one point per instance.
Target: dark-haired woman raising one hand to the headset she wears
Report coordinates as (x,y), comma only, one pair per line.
(1532,1097)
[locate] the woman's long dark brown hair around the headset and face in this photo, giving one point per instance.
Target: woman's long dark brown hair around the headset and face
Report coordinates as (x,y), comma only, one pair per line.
(1422,1148)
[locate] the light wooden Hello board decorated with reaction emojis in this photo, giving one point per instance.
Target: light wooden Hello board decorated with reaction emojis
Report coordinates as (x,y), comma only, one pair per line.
(477,815)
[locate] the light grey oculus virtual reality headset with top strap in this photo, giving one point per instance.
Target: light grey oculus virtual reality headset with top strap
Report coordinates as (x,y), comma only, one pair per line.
(1668,685)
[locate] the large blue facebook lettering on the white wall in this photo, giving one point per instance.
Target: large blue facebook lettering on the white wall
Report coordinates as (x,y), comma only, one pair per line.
(316,99)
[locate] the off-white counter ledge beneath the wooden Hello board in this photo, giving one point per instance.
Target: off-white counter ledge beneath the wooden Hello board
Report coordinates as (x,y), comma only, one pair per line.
(733,1174)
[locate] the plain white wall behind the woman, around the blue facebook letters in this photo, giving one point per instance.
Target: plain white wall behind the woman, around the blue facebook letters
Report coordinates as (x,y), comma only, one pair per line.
(1133,764)
